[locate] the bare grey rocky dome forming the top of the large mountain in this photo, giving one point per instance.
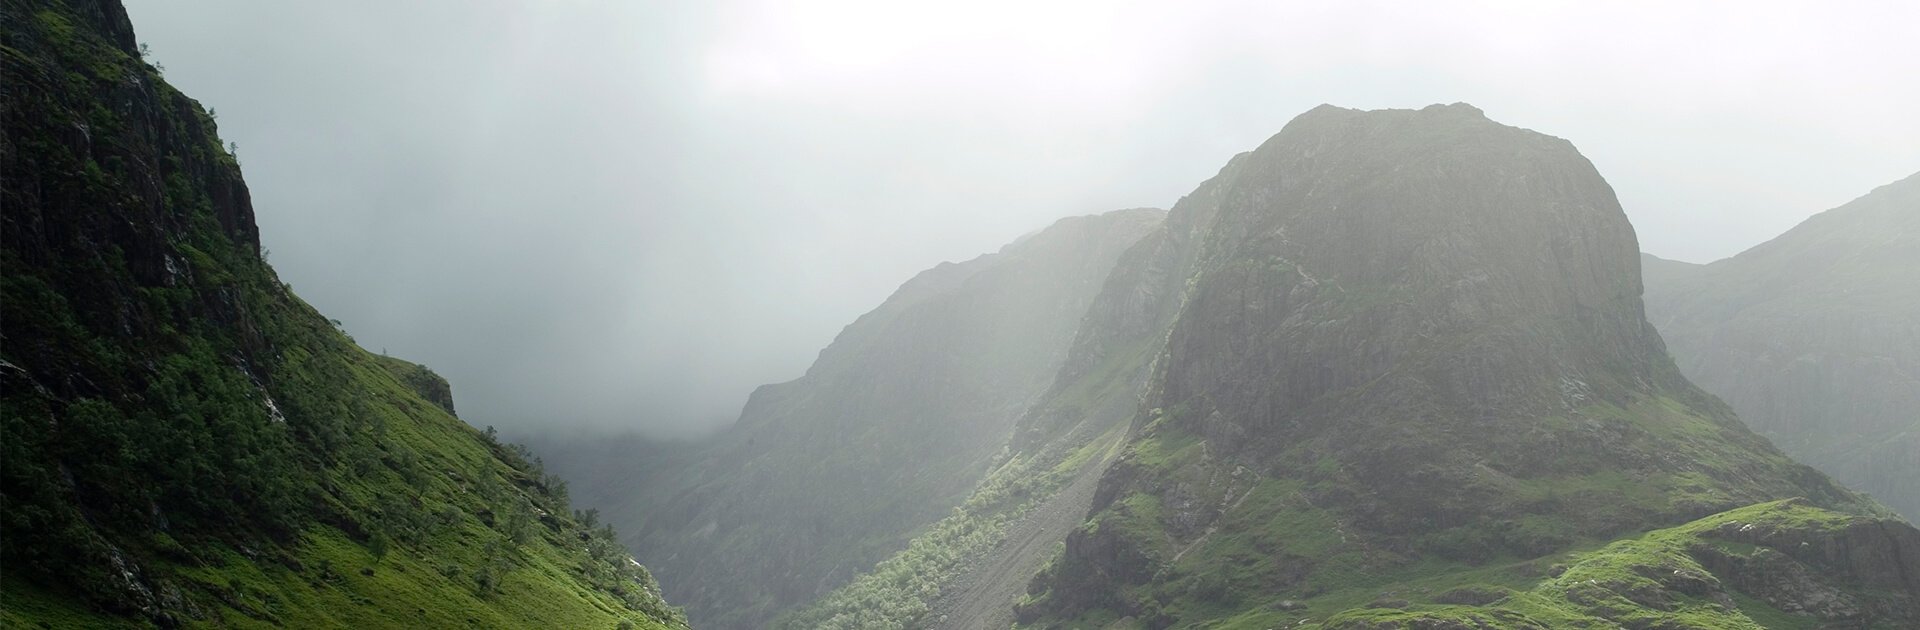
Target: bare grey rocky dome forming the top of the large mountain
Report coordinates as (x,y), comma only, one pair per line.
(1472,266)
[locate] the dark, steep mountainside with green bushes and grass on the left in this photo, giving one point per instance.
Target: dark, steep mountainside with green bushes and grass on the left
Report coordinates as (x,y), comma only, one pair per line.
(185,443)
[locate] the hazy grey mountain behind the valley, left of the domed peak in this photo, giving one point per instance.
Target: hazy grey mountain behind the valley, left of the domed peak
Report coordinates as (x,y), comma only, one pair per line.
(886,433)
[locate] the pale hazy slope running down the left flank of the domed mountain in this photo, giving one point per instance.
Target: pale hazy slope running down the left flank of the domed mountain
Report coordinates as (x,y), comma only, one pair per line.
(969,568)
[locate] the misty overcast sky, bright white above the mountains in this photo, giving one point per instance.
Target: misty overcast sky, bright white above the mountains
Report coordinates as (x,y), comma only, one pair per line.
(629,214)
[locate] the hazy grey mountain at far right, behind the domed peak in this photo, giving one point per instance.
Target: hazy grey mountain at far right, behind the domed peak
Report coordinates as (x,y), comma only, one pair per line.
(1815,339)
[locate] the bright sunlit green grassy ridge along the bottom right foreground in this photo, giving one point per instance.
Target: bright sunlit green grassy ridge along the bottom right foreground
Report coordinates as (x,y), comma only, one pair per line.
(1771,566)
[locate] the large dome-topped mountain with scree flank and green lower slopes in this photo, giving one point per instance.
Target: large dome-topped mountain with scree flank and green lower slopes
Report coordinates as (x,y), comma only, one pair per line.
(1391,370)
